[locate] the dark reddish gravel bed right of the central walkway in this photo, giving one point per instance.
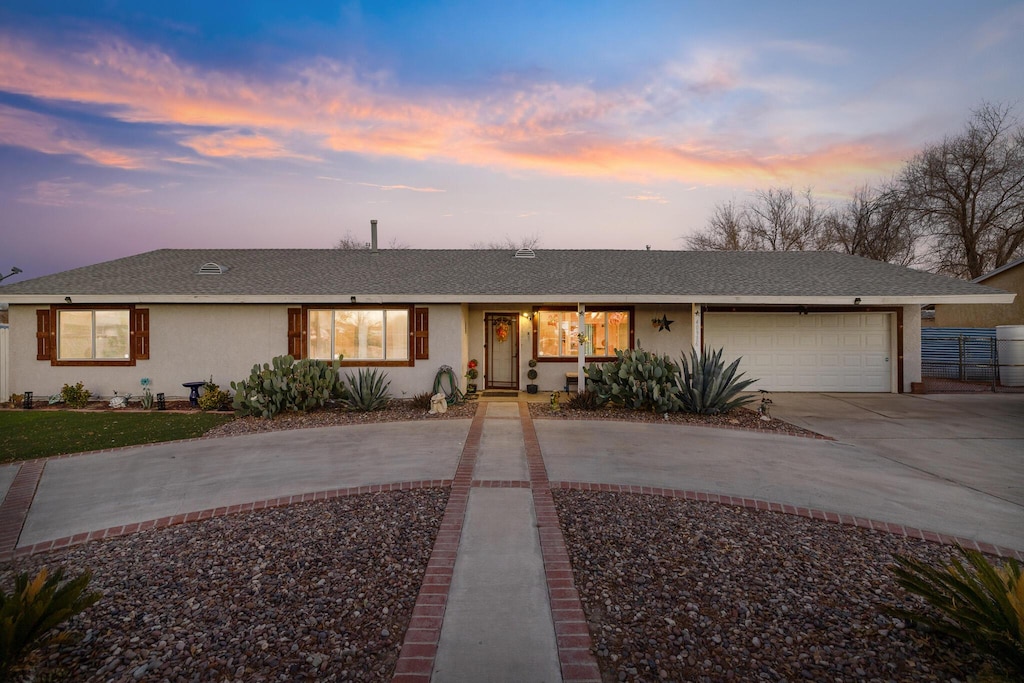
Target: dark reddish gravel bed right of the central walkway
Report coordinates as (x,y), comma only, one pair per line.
(687,591)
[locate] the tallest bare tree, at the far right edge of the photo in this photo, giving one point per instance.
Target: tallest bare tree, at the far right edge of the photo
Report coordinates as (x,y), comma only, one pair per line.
(968,194)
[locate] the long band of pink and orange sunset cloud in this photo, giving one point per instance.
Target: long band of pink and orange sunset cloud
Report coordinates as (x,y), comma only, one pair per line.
(547,127)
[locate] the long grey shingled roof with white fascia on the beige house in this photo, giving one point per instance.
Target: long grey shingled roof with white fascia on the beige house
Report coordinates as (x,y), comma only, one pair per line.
(552,275)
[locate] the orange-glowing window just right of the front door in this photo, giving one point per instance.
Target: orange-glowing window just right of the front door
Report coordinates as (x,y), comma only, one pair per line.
(605,331)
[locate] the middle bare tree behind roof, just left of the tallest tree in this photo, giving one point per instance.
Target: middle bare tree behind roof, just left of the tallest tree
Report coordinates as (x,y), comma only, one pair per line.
(876,224)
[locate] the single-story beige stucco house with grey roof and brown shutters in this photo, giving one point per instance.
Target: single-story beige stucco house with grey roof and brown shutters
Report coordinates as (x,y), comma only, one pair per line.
(801,321)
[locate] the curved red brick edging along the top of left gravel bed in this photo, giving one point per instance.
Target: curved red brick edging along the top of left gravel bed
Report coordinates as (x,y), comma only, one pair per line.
(210,514)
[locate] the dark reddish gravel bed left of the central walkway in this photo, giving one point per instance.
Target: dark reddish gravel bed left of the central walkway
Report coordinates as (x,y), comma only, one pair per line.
(315,592)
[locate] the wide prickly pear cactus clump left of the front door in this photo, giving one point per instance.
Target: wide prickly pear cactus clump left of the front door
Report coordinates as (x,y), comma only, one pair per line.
(285,385)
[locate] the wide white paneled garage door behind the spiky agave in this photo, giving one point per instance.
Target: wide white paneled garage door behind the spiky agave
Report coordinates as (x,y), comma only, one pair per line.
(813,353)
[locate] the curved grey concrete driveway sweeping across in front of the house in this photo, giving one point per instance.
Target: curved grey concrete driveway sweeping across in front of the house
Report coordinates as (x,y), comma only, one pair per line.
(952,464)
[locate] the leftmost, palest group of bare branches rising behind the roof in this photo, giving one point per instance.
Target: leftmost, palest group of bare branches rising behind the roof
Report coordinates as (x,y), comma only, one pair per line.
(777,220)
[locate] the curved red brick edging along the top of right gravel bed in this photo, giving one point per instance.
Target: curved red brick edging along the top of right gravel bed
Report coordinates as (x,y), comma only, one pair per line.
(810,514)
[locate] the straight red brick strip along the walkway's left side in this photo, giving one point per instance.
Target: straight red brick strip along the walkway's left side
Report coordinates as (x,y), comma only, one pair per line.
(419,649)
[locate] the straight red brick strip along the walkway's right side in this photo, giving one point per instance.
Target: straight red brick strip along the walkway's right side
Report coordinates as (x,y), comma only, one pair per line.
(576,655)
